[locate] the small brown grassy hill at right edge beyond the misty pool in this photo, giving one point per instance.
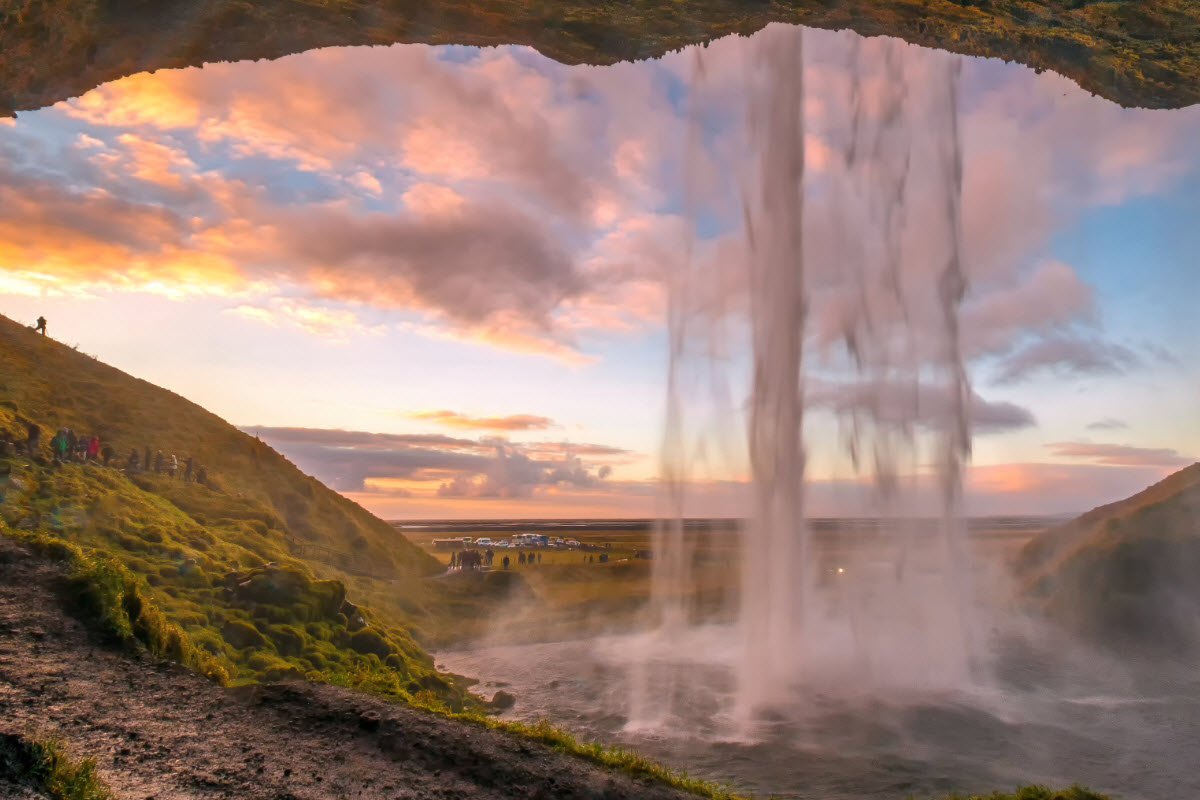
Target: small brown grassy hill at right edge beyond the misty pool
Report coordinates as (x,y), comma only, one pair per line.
(1126,573)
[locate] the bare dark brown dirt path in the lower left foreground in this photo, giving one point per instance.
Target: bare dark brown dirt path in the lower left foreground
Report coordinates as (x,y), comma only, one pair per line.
(161,732)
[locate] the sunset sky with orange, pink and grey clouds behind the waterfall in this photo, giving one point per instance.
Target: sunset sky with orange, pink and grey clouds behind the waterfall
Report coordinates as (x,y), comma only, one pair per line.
(459,284)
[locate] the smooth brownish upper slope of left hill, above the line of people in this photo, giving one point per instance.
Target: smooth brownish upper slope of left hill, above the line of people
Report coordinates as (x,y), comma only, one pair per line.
(256,489)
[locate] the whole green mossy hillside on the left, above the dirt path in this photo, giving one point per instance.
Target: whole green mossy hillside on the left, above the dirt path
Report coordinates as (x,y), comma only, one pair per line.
(260,567)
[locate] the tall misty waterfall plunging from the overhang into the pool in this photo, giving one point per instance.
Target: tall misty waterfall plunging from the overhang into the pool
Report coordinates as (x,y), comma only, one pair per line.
(854,276)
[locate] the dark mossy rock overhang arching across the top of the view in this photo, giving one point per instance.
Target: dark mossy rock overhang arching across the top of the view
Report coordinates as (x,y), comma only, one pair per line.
(1144,53)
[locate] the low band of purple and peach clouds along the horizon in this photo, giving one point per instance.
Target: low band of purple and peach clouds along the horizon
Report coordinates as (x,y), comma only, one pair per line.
(437,477)
